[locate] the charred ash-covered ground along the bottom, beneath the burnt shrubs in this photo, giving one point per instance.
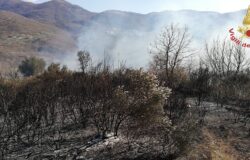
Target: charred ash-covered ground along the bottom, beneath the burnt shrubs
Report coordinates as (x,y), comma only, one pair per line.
(224,136)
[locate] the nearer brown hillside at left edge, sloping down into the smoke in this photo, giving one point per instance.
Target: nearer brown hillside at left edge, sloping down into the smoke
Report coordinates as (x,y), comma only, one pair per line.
(21,37)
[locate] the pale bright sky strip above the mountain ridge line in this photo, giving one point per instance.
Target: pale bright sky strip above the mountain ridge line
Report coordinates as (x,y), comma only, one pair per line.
(146,6)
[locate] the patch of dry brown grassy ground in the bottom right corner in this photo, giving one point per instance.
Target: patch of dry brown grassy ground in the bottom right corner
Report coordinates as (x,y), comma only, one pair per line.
(222,139)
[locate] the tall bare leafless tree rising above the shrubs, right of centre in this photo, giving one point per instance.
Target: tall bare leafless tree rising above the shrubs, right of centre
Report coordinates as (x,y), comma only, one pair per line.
(169,51)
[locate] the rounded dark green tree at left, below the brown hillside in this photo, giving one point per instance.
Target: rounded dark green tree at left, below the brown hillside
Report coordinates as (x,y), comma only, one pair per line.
(32,66)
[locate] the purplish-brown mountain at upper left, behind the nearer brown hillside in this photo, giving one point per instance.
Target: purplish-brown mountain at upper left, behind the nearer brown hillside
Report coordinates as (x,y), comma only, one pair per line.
(56,12)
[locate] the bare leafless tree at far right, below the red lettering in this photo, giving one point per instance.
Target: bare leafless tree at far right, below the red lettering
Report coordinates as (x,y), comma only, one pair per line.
(226,62)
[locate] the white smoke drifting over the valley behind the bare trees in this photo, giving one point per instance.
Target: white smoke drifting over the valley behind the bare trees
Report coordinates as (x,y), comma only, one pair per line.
(126,37)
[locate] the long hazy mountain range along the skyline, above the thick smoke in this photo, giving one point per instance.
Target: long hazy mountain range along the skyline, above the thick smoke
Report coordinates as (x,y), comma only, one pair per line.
(75,19)
